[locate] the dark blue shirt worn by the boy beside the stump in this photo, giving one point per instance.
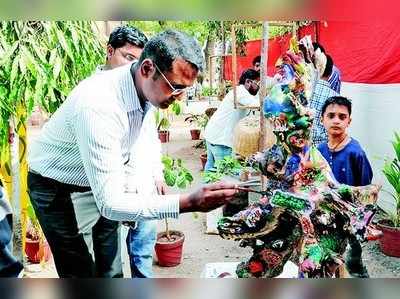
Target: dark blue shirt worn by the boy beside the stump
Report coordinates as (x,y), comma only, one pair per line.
(350,165)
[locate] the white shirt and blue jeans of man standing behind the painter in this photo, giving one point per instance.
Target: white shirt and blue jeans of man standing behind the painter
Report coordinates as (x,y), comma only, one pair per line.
(145,176)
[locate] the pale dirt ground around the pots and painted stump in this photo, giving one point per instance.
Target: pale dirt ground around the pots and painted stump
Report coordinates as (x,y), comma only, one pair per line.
(201,248)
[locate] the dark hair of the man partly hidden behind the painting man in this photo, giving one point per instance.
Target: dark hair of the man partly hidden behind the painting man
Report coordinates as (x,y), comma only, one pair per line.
(125,34)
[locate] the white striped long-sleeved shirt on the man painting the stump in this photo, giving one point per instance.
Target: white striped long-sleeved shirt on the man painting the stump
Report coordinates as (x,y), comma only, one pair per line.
(88,141)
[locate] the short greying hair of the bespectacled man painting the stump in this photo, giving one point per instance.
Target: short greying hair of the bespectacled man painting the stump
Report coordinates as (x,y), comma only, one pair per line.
(169,45)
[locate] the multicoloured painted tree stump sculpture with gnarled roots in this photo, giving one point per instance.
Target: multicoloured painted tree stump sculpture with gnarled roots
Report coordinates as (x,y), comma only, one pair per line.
(304,215)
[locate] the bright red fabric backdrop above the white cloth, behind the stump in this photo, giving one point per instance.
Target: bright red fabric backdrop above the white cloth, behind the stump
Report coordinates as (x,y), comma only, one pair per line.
(364,52)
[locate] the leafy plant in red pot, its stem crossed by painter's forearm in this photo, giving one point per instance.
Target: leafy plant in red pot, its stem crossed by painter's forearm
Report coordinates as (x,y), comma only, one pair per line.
(169,244)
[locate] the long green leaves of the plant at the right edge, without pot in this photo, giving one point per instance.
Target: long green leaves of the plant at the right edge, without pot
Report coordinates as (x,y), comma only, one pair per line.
(391,170)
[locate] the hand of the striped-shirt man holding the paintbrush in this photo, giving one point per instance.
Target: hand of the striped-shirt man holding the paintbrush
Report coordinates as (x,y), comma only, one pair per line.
(207,198)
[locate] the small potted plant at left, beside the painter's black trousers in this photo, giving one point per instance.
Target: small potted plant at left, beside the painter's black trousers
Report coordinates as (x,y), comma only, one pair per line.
(37,249)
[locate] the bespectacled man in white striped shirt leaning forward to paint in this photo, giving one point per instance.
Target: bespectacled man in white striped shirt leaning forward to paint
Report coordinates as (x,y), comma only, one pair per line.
(87,142)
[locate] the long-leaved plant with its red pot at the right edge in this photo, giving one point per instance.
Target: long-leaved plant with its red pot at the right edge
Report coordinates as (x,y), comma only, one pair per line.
(390,226)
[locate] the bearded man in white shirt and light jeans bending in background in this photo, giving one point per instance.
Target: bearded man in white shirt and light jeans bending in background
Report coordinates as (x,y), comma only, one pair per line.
(219,130)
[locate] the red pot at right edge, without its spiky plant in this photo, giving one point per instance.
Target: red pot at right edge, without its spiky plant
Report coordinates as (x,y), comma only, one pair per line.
(390,240)
